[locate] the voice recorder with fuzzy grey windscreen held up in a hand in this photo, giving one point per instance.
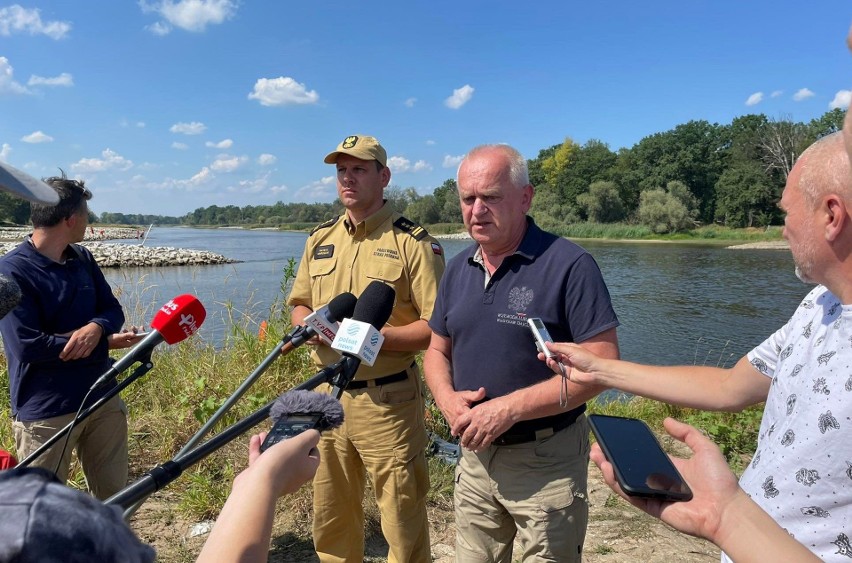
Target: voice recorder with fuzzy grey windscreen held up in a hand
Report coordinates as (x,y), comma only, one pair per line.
(300,410)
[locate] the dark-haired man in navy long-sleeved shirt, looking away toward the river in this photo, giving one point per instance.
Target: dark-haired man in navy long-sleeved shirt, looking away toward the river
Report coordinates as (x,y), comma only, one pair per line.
(57,340)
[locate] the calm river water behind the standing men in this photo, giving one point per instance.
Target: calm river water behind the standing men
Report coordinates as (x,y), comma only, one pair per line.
(678,303)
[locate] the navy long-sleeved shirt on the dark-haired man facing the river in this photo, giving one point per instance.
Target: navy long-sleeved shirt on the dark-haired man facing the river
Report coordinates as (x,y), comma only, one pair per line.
(55,299)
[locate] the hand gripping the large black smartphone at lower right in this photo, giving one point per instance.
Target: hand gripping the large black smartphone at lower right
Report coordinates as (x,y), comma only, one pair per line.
(714,486)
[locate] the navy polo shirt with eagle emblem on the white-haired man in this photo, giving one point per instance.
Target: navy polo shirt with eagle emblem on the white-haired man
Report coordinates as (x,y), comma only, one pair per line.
(548,277)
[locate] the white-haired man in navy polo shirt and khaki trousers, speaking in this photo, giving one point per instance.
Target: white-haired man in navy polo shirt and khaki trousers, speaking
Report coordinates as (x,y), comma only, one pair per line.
(525,447)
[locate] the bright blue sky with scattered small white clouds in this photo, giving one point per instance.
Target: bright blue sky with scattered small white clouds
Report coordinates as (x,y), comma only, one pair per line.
(167,106)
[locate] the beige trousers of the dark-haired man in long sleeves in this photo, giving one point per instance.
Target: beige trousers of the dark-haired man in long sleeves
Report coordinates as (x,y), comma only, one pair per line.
(100,440)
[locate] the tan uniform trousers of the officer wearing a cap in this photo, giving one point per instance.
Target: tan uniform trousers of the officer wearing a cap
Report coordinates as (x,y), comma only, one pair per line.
(383,436)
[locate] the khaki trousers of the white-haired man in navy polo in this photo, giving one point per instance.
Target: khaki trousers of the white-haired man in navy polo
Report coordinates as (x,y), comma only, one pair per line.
(535,490)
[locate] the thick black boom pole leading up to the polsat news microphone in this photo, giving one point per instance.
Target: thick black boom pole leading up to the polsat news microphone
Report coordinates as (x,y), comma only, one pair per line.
(165,473)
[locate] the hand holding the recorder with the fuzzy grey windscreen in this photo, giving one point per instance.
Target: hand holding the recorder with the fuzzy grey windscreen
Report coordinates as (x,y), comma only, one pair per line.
(285,466)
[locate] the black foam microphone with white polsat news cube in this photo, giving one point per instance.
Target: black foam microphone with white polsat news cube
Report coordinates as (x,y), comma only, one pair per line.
(359,338)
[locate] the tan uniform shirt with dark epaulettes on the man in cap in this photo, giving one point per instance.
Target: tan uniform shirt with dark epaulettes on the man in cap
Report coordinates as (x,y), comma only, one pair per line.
(387,247)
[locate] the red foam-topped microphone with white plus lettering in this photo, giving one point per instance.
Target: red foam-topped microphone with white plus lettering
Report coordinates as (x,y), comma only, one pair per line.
(175,321)
